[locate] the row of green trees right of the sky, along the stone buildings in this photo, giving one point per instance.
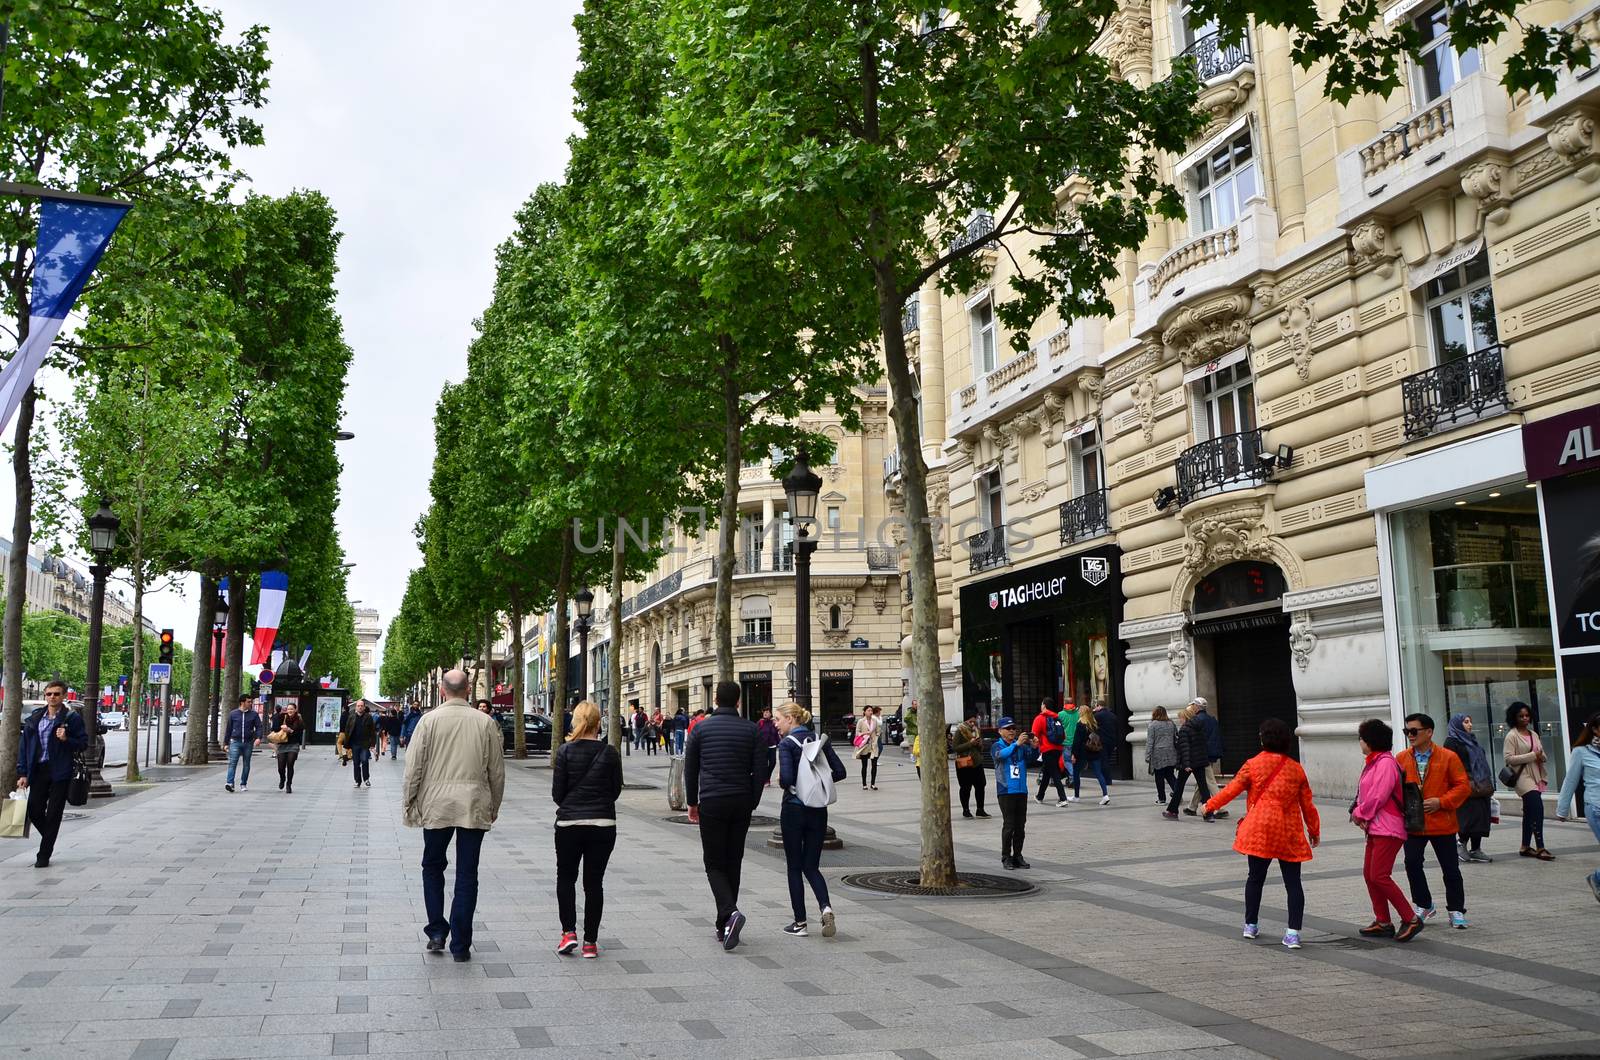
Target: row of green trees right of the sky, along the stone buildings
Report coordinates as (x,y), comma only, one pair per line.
(758,193)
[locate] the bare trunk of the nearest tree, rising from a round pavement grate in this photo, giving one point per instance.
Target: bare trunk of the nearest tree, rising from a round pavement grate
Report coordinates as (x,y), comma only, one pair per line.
(938,851)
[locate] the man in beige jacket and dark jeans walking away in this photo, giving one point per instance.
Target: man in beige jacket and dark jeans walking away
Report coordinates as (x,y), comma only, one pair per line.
(455,779)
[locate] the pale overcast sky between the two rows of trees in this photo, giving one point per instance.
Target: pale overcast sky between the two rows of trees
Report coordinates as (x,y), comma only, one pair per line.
(426,130)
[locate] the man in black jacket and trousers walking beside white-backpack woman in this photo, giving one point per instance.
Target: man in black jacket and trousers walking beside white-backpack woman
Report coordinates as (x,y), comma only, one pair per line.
(724,774)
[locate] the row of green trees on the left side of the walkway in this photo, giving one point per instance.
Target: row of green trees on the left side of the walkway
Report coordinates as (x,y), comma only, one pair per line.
(209,367)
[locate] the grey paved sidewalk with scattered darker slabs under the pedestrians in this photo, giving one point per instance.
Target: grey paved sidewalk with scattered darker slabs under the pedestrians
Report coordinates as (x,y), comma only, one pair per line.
(183,923)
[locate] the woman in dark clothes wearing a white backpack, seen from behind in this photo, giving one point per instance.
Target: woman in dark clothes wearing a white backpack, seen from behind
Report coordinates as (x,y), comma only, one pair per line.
(804,760)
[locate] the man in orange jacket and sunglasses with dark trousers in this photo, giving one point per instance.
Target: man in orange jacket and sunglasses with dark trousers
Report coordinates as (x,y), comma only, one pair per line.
(1446,787)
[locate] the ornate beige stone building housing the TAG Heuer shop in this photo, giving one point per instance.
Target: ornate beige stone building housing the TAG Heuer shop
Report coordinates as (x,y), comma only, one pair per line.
(1289,473)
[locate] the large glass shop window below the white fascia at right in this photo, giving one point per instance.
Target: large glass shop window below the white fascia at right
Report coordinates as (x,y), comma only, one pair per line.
(1473,614)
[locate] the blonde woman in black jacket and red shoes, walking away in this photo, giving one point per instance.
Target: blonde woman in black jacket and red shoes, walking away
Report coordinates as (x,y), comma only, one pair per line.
(588,782)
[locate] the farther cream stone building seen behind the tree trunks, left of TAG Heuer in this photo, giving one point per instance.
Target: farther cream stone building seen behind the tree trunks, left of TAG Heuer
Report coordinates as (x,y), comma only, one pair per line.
(668,620)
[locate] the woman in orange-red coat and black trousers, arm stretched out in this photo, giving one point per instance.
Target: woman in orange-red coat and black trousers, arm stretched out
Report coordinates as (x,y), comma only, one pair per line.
(1279,817)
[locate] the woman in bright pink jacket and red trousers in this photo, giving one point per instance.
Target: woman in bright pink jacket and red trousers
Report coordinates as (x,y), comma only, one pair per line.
(1378,811)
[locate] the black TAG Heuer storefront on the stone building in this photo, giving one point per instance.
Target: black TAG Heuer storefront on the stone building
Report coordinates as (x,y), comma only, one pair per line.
(1047,630)
